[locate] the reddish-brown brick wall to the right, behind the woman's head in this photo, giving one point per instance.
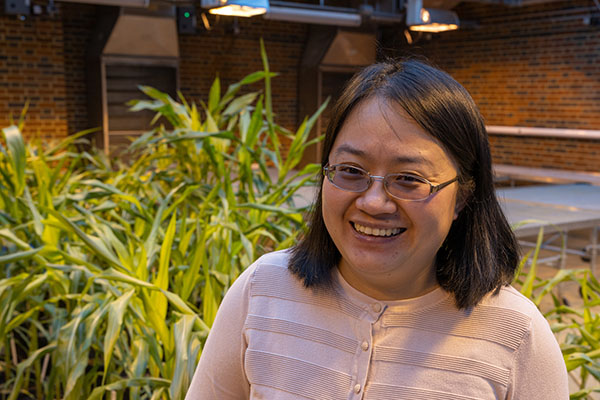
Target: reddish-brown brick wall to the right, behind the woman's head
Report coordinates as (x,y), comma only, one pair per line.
(536,66)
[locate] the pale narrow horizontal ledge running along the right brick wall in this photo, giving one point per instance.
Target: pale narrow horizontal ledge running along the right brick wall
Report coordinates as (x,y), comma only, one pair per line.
(513,173)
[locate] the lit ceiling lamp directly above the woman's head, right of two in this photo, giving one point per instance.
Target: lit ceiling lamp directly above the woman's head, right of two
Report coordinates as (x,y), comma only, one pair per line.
(429,19)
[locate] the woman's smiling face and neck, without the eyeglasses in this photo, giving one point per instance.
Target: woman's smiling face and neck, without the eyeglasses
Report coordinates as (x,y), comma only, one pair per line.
(381,138)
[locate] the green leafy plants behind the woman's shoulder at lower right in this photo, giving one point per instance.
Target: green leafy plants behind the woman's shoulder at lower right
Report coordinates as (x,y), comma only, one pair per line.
(577,328)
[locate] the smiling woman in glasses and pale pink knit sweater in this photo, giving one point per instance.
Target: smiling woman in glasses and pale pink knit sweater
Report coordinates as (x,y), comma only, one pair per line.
(400,288)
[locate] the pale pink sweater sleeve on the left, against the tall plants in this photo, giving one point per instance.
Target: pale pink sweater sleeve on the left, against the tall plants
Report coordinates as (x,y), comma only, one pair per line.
(220,373)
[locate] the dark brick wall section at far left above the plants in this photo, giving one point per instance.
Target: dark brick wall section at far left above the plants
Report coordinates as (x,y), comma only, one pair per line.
(32,65)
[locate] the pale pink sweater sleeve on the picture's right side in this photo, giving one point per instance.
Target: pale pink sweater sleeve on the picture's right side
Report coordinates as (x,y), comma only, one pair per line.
(539,371)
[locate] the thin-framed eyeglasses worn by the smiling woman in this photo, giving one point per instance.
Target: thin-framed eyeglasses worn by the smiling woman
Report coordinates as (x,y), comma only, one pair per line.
(401,186)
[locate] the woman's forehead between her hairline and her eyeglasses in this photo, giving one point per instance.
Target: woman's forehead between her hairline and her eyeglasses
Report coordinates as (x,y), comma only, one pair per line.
(379,131)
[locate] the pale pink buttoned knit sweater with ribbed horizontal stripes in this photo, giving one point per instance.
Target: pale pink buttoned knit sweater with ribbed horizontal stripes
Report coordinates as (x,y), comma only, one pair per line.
(275,339)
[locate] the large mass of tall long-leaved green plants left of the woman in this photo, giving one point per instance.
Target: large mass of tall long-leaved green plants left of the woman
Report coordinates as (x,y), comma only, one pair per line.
(110,274)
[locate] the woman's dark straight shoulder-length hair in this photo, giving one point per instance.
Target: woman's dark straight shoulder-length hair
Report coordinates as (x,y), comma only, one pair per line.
(480,253)
